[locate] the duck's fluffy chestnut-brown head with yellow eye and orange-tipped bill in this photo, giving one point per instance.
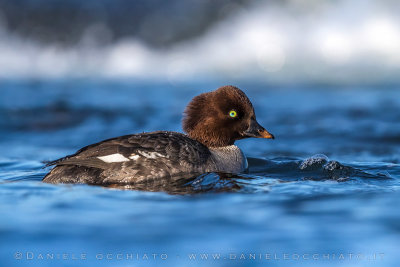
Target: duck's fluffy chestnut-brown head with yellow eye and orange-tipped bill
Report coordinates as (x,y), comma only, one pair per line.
(221,117)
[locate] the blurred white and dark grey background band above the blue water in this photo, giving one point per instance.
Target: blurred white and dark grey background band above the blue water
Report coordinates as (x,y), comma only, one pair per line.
(284,42)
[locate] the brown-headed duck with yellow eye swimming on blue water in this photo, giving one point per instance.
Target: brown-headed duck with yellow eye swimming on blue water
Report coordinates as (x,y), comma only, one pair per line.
(212,122)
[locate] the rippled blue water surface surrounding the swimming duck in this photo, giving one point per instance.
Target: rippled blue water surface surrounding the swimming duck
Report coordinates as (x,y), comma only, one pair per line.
(327,187)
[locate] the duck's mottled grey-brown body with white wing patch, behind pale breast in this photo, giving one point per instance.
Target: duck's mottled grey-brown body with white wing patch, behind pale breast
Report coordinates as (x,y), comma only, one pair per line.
(131,159)
